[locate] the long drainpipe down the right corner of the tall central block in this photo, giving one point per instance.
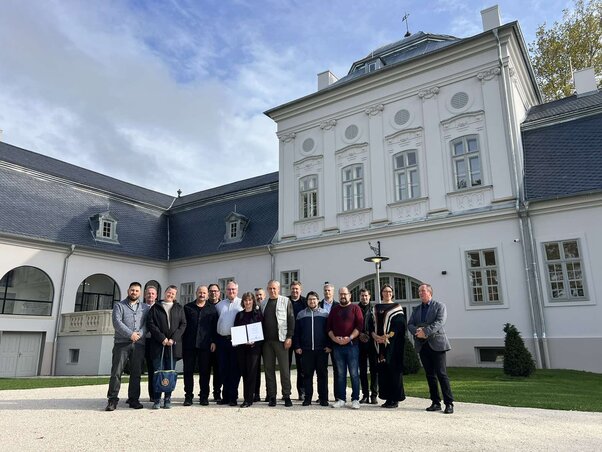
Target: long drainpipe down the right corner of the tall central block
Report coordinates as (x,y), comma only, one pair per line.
(525,244)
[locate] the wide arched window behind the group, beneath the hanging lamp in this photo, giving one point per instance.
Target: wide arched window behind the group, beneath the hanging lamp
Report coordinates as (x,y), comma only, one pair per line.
(405,288)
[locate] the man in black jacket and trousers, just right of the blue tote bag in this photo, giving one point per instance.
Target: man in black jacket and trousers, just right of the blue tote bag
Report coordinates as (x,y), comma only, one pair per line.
(199,343)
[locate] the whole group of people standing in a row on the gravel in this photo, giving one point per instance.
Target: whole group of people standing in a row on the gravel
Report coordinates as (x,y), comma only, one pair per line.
(363,339)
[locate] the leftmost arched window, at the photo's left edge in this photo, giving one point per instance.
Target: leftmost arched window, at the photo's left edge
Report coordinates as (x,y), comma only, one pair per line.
(26,291)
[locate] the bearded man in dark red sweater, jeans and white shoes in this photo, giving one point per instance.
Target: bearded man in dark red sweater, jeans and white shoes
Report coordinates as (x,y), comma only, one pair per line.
(344,324)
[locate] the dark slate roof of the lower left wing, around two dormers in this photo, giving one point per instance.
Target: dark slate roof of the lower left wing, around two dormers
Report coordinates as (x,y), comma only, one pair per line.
(57,210)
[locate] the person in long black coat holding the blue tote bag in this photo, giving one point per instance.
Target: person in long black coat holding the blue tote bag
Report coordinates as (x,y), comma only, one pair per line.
(166,323)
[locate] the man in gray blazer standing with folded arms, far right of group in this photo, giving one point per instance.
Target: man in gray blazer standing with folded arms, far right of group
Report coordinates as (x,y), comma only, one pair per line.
(426,324)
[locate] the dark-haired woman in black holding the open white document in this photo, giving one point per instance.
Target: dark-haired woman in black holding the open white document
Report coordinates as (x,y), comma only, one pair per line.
(249,353)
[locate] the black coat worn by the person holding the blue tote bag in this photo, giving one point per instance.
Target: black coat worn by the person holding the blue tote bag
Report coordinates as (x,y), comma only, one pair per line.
(157,325)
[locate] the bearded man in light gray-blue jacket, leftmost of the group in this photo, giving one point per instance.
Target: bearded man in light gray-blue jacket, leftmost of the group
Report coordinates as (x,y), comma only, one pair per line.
(129,321)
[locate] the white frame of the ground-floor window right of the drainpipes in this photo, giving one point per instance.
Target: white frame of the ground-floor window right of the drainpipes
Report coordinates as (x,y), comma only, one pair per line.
(564,269)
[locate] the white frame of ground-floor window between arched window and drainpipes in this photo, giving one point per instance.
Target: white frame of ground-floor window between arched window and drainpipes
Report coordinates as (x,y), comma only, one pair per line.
(484,278)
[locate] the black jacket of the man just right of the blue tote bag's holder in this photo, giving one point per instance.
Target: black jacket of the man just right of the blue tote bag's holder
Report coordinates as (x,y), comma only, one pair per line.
(201,326)
